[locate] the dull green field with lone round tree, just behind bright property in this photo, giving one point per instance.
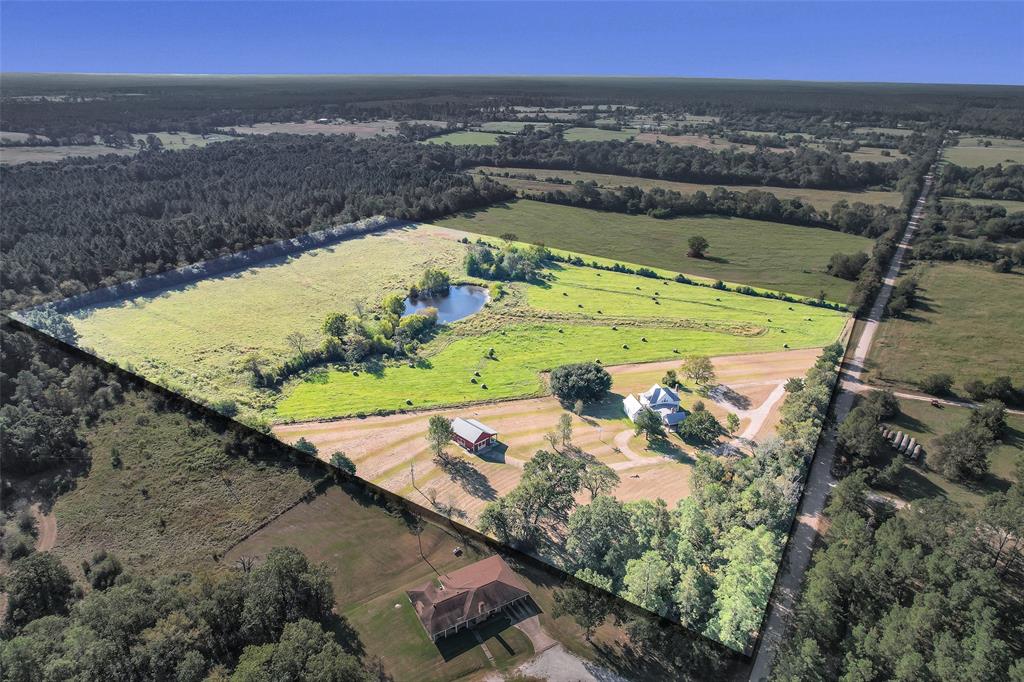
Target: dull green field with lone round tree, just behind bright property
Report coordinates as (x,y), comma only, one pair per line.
(764,254)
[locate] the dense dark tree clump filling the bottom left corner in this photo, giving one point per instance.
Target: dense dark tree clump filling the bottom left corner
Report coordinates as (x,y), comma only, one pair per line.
(272,622)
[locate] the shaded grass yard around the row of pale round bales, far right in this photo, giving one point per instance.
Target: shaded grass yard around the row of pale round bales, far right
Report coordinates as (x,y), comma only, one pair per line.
(926,424)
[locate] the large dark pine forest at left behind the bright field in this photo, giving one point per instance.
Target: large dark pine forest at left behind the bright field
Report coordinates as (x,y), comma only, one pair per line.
(84,224)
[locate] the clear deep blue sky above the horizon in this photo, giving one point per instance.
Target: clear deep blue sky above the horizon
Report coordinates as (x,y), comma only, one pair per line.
(951,42)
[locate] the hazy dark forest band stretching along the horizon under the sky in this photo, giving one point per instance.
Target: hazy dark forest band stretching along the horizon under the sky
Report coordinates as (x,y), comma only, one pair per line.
(62,106)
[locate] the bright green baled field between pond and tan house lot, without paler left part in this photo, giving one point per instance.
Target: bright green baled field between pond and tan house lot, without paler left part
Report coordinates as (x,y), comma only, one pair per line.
(583,315)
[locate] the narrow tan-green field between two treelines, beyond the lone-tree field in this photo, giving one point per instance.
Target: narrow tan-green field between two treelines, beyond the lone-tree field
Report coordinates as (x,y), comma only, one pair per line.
(820,199)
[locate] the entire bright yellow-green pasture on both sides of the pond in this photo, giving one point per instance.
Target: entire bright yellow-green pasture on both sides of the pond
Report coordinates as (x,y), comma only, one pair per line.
(194,339)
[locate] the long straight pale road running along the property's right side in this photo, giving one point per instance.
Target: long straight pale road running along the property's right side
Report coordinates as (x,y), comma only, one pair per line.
(821,481)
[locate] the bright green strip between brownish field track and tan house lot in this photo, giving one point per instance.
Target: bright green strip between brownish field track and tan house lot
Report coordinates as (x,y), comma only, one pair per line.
(522,353)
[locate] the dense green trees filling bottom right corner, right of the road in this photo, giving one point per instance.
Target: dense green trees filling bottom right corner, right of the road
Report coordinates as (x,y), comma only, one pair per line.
(923,594)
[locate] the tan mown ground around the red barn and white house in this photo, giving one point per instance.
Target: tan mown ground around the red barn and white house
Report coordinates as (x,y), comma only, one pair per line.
(393,451)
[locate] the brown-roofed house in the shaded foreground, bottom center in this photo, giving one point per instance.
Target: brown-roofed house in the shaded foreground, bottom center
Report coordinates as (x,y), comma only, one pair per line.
(461,600)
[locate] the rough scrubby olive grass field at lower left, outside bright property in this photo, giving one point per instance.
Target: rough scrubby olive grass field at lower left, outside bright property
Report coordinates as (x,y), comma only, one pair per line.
(176,500)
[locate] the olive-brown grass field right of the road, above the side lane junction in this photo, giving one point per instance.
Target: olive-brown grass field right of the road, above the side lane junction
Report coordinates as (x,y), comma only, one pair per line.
(969,325)
